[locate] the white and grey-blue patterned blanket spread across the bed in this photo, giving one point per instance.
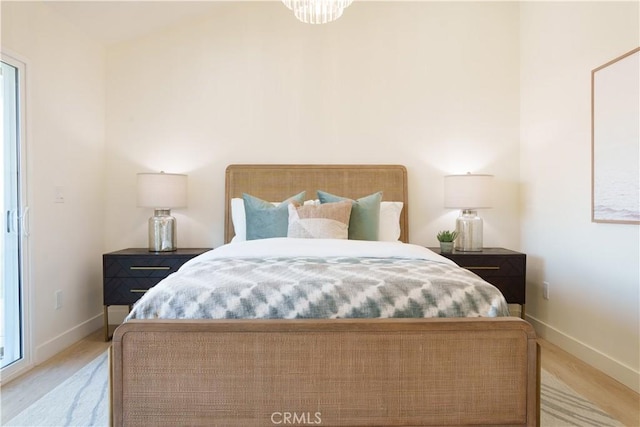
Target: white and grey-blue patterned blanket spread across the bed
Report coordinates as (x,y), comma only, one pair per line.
(320,287)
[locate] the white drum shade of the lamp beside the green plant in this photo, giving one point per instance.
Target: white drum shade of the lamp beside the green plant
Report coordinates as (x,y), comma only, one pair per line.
(468,191)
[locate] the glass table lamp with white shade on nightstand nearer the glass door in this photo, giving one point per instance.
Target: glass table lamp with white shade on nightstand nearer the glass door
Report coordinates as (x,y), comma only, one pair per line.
(162,192)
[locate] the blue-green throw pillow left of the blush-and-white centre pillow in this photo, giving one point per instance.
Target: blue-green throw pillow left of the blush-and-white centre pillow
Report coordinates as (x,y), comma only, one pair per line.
(264,220)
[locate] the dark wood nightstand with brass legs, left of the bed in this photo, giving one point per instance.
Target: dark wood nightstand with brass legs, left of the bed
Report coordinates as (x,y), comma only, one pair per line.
(129,273)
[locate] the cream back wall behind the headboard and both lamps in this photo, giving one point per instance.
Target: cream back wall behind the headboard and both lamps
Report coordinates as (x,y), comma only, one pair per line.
(433,86)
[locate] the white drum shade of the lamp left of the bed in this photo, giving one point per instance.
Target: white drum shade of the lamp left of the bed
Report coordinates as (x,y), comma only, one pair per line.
(162,190)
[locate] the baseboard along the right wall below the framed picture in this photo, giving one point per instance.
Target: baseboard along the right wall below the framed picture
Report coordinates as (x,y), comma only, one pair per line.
(611,367)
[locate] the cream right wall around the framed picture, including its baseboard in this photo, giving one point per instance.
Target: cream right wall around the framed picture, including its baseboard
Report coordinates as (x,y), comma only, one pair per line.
(593,269)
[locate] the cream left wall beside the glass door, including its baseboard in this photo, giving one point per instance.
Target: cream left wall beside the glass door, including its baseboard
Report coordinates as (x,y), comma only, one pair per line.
(65,148)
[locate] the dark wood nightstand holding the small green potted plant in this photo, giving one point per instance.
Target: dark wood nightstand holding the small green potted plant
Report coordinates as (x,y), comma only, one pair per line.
(503,268)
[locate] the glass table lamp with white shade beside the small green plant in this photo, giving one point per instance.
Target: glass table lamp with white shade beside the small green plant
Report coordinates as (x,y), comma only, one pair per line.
(468,192)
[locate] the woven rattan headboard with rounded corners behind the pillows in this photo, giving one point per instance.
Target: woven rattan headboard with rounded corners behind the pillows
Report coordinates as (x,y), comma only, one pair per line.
(277,182)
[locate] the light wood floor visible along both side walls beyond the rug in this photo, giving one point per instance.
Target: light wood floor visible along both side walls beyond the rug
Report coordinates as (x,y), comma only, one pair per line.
(618,400)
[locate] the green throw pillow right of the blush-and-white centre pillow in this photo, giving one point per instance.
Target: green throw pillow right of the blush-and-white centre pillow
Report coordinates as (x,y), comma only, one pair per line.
(365,214)
